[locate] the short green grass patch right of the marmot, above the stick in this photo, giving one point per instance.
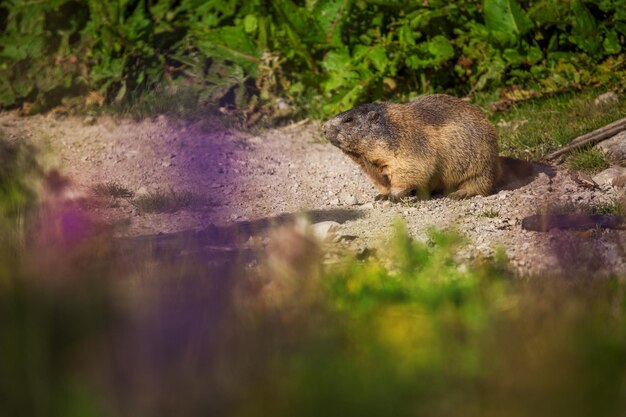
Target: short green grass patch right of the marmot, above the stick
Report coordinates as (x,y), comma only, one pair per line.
(532,129)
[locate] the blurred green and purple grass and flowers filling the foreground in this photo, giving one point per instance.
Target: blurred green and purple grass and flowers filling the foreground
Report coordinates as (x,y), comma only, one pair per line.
(435,337)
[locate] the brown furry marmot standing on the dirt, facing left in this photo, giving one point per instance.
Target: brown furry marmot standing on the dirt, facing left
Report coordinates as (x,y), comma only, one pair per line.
(437,143)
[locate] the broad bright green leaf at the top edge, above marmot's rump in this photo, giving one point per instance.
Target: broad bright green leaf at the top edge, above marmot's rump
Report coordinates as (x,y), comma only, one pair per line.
(506,16)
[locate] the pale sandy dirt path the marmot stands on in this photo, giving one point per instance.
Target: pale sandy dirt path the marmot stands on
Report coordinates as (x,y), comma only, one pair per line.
(290,170)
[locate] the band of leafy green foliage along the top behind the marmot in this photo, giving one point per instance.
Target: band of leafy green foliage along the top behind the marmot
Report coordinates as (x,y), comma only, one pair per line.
(320,55)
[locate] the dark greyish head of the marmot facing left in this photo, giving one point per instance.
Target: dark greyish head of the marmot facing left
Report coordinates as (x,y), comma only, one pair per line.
(360,129)
